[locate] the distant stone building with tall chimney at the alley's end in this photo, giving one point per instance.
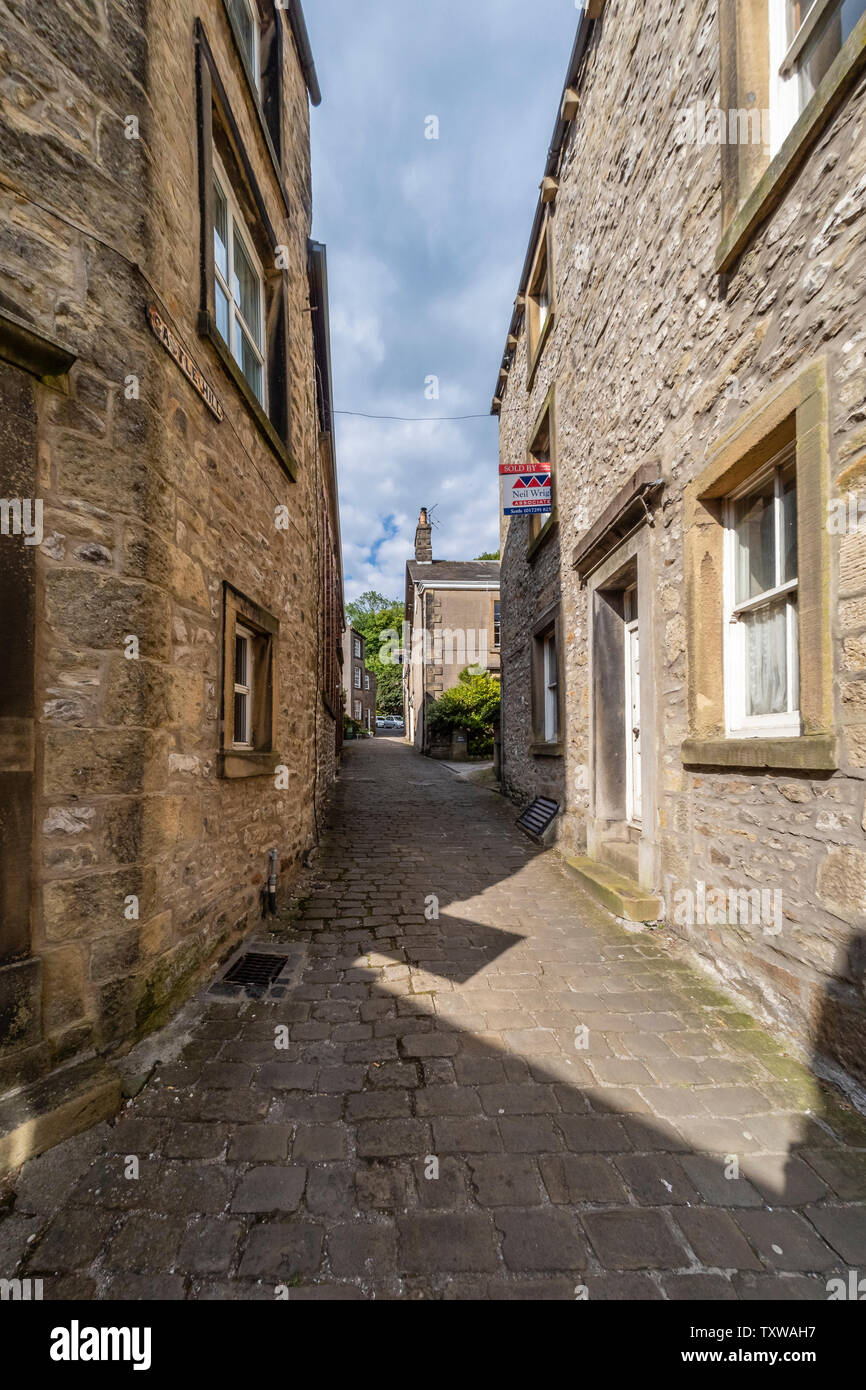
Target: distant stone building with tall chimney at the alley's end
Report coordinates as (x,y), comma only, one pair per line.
(452,622)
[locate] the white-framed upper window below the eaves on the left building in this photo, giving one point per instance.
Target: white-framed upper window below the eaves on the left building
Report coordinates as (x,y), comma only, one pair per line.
(238,287)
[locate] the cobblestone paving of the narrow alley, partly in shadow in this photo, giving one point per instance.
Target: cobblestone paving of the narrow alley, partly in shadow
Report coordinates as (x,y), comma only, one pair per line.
(607,1170)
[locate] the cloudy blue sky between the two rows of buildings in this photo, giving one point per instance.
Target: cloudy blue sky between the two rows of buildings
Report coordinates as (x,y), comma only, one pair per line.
(426,243)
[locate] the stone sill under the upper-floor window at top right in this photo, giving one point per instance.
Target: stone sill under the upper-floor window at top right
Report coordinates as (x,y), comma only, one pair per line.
(785,167)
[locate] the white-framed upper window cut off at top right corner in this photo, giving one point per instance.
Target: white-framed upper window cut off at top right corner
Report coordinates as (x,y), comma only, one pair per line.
(806,40)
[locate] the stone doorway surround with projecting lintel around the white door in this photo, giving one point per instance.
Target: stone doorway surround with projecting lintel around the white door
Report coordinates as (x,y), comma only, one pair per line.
(616,554)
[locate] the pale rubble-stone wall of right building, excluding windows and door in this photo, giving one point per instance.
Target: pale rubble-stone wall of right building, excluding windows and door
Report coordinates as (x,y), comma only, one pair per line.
(655,358)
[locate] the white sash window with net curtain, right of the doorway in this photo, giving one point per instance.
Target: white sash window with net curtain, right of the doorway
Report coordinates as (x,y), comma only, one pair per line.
(761,584)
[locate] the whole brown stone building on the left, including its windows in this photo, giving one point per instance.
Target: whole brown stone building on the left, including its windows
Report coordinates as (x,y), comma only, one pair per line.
(172,621)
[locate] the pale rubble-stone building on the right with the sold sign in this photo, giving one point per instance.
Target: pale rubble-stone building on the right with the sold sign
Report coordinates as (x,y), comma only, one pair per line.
(685,637)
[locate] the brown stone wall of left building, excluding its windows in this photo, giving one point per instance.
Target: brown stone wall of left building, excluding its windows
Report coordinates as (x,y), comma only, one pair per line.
(148,865)
